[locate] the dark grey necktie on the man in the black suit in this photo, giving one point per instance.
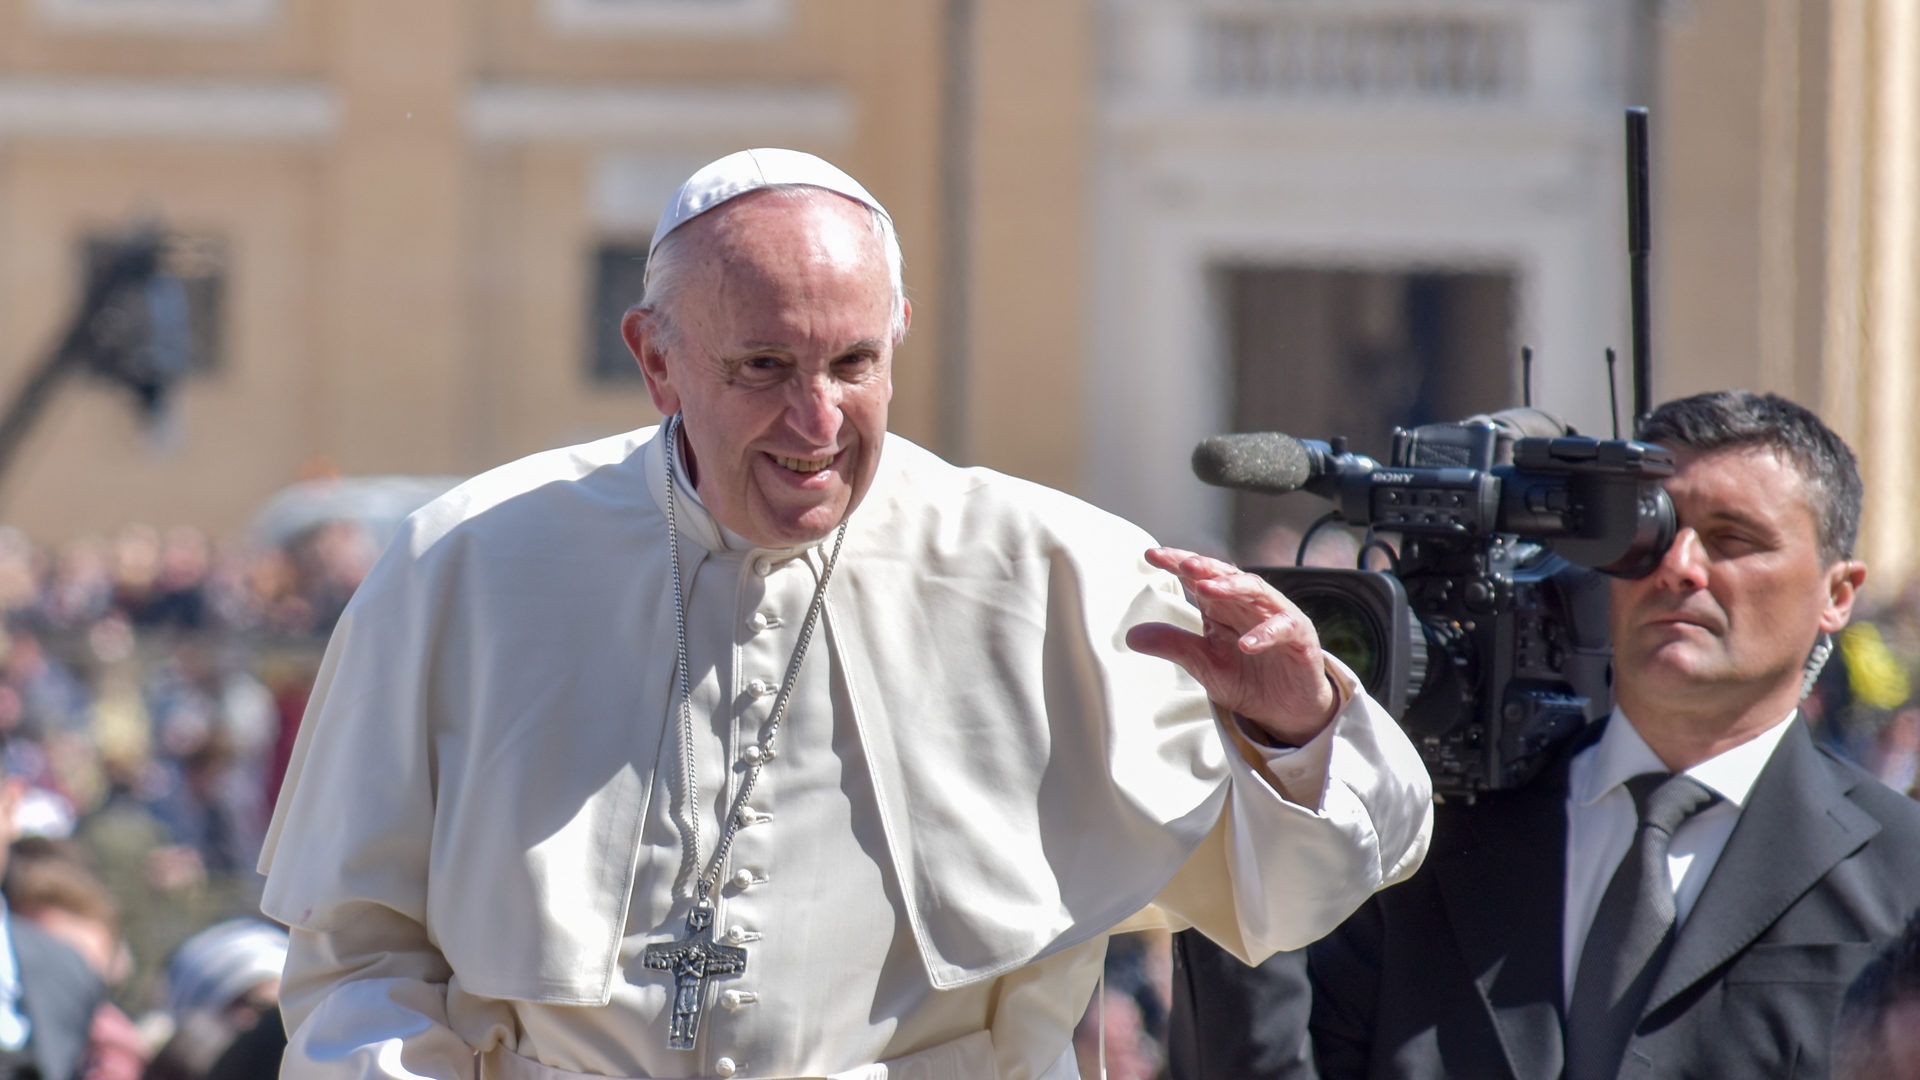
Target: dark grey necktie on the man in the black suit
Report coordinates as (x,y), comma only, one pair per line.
(1631,935)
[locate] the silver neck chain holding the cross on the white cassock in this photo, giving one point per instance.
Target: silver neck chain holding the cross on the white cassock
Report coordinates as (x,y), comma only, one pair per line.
(690,827)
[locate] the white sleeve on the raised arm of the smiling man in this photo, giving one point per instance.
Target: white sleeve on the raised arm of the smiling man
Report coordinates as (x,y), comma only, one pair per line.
(1307,833)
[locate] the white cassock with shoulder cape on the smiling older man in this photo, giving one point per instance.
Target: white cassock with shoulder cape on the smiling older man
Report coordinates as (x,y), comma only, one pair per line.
(974,783)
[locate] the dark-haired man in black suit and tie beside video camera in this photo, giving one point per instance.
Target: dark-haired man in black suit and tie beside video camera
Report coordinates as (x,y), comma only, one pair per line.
(1692,885)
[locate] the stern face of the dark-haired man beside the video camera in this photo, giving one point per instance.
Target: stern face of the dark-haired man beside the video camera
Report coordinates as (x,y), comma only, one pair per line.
(1731,614)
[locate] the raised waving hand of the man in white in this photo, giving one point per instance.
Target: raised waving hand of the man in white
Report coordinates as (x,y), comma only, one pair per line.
(1257,656)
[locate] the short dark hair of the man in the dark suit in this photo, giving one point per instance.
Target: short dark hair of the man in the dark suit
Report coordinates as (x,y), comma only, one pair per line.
(1740,418)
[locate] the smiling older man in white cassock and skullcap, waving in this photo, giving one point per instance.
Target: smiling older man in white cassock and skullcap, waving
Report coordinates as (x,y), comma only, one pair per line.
(769,745)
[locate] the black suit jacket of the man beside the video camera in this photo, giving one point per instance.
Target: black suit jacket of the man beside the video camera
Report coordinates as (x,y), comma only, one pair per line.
(1456,973)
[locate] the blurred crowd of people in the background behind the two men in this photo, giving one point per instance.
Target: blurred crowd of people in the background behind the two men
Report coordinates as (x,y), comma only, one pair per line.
(153,683)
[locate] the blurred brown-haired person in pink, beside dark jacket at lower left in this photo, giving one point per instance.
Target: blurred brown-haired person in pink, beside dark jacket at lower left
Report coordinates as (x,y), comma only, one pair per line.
(51,885)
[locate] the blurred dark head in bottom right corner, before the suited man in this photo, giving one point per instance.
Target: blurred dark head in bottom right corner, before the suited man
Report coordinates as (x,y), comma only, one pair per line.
(1879,1031)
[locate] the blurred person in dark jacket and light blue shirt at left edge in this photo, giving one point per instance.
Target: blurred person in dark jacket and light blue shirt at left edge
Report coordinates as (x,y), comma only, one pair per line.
(49,996)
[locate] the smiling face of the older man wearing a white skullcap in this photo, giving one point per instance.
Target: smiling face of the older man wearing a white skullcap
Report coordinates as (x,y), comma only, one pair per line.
(780,362)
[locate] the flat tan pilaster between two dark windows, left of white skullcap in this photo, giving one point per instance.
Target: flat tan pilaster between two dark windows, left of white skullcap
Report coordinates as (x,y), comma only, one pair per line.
(389,378)
